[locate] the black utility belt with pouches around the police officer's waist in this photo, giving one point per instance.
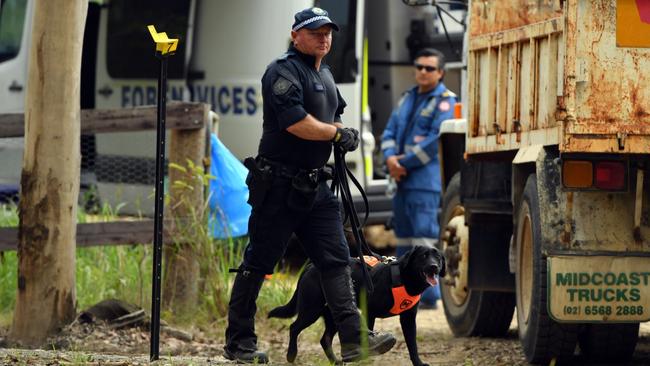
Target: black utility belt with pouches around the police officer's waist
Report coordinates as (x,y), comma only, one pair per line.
(304,182)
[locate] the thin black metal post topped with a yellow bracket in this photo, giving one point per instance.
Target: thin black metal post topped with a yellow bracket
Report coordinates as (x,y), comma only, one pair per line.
(165,47)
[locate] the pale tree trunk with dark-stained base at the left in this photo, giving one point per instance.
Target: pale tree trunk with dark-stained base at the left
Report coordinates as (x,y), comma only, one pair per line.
(50,175)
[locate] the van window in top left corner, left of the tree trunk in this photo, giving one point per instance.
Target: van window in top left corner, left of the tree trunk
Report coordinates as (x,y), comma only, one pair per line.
(12,21)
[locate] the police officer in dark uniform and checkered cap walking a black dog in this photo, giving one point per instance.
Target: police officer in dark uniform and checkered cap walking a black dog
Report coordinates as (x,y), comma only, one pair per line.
(288,192)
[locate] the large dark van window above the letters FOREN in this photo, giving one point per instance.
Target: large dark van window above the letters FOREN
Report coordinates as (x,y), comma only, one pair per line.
(127,69)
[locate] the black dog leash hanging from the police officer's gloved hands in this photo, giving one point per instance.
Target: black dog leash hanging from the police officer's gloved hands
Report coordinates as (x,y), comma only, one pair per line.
(342,173)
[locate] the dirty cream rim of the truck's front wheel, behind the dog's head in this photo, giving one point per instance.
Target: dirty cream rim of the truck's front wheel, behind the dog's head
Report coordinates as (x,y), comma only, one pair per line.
(456,249)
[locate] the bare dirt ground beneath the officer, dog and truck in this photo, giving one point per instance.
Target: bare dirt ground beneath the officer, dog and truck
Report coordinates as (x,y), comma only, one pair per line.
(436,343)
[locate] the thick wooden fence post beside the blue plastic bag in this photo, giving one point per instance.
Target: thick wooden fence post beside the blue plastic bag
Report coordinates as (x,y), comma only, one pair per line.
(186,205)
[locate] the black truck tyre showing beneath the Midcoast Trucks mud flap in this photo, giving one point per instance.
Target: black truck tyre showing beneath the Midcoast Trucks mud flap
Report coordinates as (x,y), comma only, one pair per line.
(609,342)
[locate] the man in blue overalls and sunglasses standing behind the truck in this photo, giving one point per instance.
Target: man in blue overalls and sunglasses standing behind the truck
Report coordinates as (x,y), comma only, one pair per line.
(410,147)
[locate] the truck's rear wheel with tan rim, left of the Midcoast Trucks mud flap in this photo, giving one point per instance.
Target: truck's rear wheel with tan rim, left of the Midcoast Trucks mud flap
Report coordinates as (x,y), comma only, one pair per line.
(541,337)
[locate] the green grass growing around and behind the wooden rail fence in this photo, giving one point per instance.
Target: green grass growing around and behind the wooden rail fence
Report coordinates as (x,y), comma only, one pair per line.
(124,272)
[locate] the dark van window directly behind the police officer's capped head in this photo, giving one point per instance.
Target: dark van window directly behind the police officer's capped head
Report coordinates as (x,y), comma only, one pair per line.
(342,57)
